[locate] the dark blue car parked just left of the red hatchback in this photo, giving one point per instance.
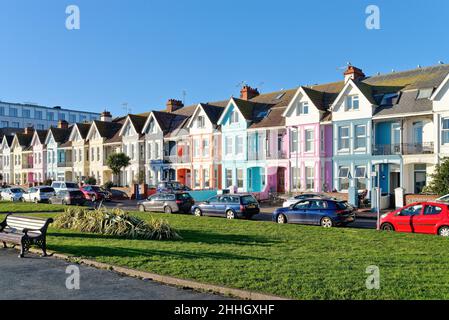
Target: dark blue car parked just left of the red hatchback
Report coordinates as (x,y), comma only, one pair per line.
(321,212)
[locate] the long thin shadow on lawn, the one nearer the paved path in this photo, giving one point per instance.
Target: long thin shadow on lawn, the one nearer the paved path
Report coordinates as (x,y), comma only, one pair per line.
(100,251)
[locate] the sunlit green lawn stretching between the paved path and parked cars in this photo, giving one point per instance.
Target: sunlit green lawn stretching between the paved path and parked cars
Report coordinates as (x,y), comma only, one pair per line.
(288,260)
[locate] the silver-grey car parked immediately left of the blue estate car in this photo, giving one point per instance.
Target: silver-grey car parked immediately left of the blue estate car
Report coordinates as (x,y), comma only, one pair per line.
(167,202)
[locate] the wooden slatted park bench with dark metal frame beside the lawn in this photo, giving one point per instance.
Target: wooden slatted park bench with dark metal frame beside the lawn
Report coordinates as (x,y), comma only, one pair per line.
(25,231)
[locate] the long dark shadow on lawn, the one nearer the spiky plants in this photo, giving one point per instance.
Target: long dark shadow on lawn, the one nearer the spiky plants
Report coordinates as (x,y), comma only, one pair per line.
(188,236)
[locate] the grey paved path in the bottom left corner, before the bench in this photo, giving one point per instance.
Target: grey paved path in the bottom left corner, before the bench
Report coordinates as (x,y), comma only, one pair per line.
(45,278)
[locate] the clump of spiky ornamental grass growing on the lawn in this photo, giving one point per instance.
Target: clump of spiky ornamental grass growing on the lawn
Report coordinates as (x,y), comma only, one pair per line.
(115,223)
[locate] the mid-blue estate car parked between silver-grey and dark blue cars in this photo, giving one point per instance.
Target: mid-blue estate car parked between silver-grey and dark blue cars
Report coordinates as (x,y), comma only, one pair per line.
(229,206)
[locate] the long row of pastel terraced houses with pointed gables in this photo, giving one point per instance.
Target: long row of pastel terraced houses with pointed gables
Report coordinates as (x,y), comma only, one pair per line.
(318,138)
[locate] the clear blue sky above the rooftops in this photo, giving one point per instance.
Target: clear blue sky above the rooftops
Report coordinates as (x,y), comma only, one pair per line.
(144,52)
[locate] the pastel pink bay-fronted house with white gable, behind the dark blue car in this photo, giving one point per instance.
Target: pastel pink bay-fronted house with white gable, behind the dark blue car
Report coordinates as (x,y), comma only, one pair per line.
(309,126)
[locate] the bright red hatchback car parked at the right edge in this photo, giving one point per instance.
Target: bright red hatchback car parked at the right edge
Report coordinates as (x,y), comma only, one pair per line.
(421,217)
